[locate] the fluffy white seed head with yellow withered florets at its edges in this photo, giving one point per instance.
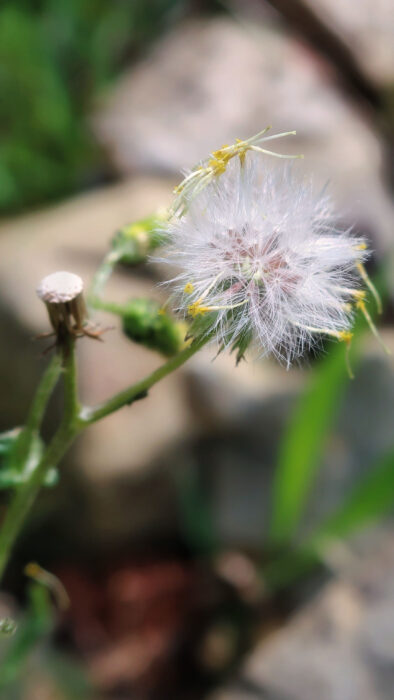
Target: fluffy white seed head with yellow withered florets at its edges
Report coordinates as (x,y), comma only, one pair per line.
(263,258)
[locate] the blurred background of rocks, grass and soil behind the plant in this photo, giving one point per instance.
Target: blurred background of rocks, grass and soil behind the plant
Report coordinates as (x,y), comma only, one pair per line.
(229,538)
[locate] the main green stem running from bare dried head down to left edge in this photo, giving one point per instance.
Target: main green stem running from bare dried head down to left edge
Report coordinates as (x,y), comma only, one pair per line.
(26,493)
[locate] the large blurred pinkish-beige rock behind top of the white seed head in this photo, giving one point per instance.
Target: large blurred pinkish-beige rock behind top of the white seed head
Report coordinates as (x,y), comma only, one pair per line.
(210,81)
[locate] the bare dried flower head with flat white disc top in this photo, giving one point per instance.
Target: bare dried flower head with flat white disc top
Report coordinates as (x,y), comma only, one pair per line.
(62,293)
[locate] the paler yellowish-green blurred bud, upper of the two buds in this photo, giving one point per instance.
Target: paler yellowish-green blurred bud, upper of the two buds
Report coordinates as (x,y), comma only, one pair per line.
(135,241)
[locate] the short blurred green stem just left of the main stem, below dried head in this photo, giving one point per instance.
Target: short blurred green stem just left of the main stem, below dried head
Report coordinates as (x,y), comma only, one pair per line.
(36,414)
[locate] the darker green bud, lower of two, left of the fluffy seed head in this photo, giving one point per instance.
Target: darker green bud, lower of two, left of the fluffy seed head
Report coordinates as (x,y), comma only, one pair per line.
(145,322)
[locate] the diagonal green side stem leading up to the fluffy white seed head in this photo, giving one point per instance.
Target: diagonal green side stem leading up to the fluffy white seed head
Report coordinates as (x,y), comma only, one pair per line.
(132,393)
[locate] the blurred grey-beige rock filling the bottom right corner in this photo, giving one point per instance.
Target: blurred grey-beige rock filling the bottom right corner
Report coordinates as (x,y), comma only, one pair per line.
(339,647)
